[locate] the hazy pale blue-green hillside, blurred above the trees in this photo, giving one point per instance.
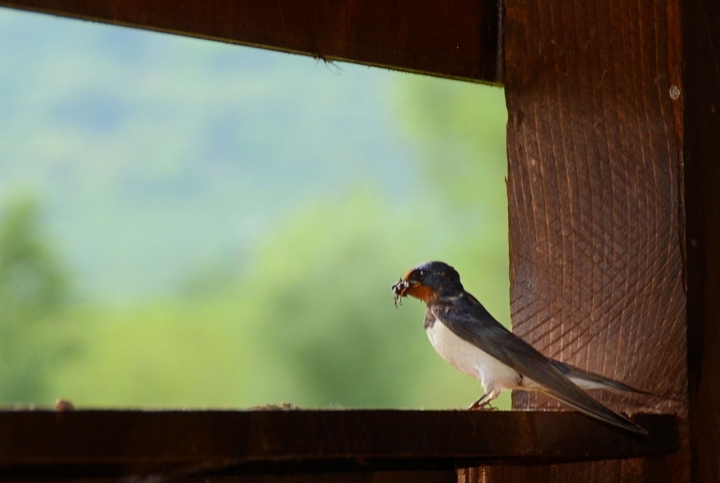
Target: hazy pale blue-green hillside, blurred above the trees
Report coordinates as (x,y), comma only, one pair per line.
(156,155)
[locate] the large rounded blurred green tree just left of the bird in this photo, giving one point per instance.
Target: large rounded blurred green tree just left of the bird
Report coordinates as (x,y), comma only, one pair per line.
(322,283)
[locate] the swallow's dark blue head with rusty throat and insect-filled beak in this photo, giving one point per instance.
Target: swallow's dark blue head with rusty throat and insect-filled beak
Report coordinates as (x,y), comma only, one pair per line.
(428,282)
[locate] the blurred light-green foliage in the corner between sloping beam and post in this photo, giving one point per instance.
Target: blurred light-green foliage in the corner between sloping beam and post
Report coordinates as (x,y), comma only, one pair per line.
(461,129)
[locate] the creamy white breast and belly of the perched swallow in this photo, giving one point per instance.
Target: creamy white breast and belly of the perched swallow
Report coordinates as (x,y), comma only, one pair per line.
(468,358)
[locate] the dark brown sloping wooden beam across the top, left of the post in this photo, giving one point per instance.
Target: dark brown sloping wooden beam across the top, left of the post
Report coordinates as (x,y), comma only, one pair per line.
(456,38)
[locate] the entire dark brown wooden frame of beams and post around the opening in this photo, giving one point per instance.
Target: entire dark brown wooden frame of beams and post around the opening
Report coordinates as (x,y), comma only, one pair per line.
(614,164)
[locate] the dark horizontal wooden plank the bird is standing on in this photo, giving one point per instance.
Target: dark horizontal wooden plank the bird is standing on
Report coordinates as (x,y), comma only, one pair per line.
(97,443)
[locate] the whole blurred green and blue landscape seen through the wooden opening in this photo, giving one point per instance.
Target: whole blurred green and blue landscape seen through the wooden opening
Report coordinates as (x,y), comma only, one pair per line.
(194,224)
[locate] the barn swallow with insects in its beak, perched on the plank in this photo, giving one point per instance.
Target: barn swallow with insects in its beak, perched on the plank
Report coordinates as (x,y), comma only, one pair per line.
(464,333)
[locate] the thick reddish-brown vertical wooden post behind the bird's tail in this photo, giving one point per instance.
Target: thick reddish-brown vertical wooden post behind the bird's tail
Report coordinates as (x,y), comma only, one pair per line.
(595,185)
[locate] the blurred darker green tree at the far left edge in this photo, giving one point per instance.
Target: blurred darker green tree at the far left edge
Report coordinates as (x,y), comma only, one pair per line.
(33,289)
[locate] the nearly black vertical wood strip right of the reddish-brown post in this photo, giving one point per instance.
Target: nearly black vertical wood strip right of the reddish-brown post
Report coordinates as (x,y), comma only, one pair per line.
(701,53)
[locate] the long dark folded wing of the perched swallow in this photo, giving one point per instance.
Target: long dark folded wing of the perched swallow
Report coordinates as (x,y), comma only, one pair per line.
(468,319)
